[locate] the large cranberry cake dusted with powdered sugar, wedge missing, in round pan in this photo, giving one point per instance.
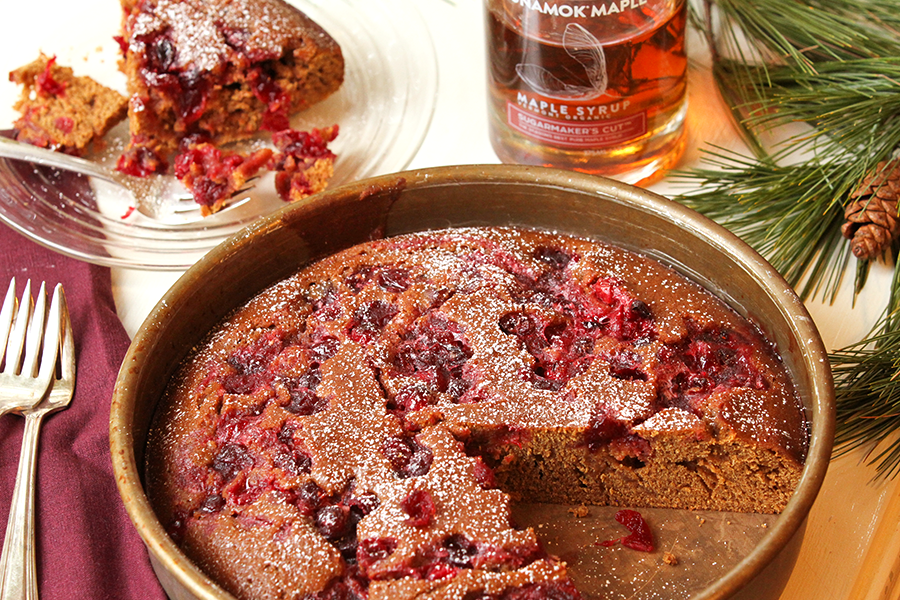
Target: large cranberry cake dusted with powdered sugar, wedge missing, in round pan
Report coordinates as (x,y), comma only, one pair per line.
(359,429)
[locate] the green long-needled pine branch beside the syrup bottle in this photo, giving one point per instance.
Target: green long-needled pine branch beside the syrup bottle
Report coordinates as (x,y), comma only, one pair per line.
(833,66)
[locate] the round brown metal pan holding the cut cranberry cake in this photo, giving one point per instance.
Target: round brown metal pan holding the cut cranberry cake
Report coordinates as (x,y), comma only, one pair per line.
(491,195)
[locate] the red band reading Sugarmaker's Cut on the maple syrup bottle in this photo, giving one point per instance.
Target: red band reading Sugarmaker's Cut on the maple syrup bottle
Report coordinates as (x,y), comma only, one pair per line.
(581,135)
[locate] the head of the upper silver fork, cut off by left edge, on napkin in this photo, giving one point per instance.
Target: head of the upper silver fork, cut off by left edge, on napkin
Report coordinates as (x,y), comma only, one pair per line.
(23,382)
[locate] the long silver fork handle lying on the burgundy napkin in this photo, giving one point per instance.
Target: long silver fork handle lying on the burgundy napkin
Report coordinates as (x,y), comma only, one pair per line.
(18,575)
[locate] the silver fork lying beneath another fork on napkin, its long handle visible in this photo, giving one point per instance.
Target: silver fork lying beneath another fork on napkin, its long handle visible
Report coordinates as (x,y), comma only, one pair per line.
(18,575)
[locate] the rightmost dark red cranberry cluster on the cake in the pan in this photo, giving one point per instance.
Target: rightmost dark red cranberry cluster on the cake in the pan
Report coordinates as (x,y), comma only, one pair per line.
(706,359)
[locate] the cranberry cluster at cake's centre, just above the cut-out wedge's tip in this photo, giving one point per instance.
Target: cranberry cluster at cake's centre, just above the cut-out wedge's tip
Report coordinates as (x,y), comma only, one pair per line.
(435,351)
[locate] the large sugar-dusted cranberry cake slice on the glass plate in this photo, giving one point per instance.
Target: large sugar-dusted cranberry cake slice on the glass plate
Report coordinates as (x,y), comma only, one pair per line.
(220,69)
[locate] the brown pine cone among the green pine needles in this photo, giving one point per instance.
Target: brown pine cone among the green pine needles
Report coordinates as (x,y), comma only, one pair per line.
(872,223)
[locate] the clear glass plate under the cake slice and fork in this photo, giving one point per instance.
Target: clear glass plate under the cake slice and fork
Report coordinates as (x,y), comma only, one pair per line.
(384,109)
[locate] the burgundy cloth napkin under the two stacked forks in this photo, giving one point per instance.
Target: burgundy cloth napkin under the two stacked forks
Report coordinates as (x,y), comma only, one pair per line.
(86,545)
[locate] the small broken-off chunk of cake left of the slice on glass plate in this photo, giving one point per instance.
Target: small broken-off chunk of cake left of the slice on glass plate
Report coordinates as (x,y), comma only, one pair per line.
(62,111)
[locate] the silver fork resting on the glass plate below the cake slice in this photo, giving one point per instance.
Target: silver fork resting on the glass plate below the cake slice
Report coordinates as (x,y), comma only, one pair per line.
(158,197)
